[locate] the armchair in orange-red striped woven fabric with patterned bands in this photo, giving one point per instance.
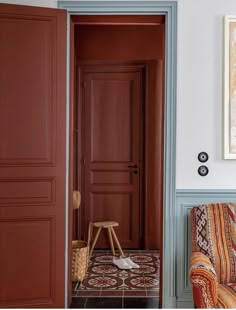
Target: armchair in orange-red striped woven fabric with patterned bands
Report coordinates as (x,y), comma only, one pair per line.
(213,260)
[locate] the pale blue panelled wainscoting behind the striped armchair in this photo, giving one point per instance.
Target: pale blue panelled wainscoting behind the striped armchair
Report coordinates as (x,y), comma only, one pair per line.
(185,200)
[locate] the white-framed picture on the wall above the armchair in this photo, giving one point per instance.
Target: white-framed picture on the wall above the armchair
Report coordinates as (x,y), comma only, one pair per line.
(230,88)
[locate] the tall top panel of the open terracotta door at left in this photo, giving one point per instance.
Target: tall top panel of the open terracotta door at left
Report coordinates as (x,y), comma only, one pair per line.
(32,95)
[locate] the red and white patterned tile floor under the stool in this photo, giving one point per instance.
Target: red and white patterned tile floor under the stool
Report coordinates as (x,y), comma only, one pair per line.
(104,279)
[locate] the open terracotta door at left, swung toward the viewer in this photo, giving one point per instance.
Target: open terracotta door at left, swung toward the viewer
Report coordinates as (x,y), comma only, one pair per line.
(32,156)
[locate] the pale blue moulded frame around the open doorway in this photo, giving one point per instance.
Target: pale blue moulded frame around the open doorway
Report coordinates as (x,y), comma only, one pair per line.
(169,9)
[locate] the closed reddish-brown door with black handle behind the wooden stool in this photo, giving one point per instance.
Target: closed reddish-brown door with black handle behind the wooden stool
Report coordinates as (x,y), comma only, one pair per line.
(111,97)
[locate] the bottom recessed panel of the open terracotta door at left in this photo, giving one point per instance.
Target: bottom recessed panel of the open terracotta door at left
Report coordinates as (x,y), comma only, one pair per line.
(35,240)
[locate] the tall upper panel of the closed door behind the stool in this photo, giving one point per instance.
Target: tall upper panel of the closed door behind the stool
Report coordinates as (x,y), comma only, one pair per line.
(111,111)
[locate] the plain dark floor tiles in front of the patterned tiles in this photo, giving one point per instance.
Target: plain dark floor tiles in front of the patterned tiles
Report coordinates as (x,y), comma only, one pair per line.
(115,302)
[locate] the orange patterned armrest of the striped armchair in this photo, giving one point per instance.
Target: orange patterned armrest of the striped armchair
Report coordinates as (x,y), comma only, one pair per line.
(204,281)
